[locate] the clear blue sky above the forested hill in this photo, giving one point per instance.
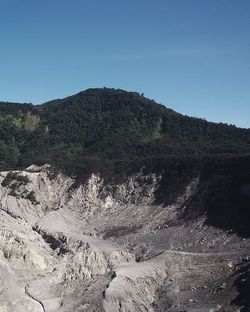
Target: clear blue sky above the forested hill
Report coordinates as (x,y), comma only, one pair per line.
(191,55)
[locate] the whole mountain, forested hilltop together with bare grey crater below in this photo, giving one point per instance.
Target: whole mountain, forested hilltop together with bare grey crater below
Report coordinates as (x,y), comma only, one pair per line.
(142,208)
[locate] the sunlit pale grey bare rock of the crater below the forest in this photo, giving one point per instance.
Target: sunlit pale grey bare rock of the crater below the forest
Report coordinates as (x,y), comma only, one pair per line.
(106,246)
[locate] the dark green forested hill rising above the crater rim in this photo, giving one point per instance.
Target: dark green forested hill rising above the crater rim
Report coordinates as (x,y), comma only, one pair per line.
(110,130)
